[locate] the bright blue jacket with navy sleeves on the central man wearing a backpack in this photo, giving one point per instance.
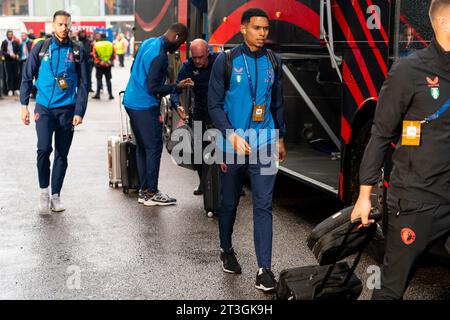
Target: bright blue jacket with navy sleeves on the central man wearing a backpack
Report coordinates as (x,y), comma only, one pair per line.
(232,109)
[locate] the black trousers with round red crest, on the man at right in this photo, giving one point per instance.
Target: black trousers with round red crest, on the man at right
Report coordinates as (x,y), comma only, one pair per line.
(413,227)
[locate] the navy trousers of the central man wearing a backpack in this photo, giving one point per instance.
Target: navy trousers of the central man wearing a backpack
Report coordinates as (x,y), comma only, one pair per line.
(262,191)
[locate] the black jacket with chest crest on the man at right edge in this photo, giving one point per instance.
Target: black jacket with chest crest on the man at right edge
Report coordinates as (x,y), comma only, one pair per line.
(423,172)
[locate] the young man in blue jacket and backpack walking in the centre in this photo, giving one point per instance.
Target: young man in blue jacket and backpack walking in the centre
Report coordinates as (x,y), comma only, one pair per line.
(252,100)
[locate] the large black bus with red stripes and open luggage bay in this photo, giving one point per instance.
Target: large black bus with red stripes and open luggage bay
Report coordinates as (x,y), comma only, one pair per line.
(336,55)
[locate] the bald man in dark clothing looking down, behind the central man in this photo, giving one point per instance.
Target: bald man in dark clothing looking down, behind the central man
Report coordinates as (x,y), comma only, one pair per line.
(198,67)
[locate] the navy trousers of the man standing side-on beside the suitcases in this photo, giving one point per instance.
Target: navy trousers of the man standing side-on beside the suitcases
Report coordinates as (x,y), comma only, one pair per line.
(147,129)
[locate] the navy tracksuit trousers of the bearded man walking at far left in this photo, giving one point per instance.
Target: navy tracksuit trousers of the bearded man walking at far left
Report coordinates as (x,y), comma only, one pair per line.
(49,121)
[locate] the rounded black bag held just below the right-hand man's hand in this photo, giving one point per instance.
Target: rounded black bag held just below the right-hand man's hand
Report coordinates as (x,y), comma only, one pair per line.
(326,239)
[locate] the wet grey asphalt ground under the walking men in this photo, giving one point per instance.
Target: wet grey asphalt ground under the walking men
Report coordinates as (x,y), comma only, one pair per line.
(107,246)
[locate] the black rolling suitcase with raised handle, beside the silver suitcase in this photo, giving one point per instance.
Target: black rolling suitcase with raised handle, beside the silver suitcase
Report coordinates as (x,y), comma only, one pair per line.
(128,164)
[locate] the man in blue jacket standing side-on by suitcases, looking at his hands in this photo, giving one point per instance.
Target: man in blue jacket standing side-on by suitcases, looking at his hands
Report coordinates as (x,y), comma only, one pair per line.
(146,87)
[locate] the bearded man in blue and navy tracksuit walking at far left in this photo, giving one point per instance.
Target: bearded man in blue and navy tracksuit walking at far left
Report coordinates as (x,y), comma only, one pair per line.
(60,104)
